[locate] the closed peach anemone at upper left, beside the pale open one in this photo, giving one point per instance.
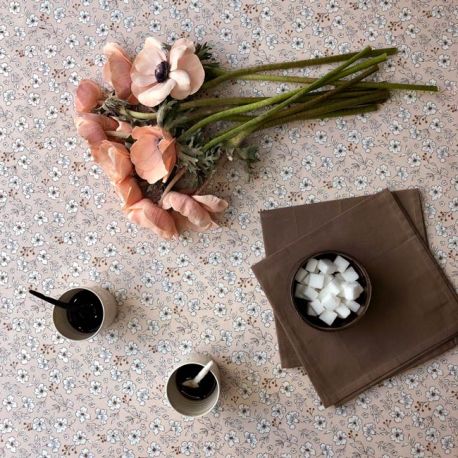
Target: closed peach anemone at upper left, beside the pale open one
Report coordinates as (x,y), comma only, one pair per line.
(116,71)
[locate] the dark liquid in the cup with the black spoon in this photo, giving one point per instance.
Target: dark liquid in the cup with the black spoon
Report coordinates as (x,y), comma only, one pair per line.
(85,312)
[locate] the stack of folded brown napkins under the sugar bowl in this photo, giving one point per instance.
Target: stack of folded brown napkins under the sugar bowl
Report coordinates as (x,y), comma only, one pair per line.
(413,315)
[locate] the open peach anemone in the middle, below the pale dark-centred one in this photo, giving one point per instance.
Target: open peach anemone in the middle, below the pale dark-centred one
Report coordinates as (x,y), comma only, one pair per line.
(154,153)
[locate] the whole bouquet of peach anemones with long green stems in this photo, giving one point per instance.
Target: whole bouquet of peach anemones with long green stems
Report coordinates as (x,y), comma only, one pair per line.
(151,135)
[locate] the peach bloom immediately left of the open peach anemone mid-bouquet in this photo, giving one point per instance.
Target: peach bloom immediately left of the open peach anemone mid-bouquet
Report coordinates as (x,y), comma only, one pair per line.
(114,159)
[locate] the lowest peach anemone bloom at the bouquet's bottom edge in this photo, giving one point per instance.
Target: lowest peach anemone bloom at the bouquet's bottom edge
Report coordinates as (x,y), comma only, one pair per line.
(146,214)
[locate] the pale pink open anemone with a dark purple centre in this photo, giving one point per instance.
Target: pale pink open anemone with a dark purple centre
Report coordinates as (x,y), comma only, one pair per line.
(157,73)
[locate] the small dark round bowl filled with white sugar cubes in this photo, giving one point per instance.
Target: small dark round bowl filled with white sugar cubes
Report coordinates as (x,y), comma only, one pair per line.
(331,290)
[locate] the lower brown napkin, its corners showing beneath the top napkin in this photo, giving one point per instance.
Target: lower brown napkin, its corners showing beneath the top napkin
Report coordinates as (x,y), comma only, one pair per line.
(282,226)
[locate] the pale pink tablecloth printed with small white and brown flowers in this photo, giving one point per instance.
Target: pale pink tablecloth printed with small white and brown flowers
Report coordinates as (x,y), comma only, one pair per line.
(61,225)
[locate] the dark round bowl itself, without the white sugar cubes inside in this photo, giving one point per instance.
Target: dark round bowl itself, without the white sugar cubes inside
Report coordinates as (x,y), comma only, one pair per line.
(339,323)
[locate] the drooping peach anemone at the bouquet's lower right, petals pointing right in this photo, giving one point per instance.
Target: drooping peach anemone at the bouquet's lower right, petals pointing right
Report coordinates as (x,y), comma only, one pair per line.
(194,212)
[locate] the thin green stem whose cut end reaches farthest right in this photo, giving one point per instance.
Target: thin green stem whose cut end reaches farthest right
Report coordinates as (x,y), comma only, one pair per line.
(362,85)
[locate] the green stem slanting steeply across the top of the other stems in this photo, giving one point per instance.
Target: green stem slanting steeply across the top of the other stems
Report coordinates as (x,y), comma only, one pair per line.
(245,129)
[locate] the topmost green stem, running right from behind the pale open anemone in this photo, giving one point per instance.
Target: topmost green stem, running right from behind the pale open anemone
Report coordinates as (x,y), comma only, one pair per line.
(294,64)
